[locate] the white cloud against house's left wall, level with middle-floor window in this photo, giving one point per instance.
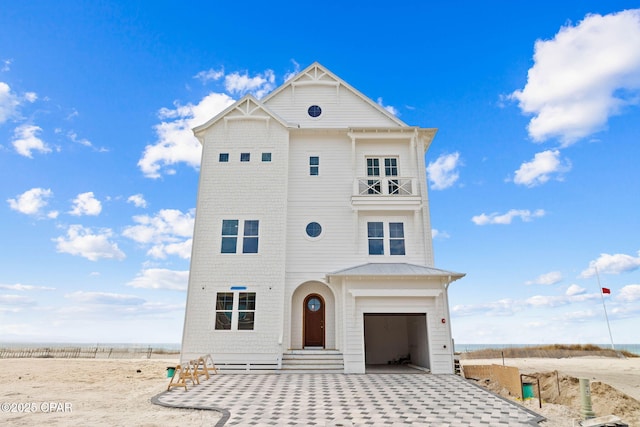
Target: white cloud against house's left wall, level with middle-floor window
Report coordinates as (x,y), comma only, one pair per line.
(168,232)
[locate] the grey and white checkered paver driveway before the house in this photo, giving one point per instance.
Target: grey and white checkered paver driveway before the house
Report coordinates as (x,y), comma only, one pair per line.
(348,400)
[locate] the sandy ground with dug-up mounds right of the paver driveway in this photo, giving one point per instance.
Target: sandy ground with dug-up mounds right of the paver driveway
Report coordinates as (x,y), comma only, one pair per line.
(615,386)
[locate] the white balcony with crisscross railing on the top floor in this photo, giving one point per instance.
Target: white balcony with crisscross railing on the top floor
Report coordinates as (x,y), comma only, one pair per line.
(386,193)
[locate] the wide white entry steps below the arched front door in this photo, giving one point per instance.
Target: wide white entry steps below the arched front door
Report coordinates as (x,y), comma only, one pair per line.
(312,362)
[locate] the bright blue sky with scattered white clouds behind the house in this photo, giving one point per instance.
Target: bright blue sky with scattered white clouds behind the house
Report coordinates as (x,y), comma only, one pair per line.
(533,173)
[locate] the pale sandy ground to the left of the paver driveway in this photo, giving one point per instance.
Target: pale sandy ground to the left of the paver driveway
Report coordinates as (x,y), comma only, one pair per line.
(82,392)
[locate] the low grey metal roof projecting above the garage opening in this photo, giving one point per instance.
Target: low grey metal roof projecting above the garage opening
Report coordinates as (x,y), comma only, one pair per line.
(395,270)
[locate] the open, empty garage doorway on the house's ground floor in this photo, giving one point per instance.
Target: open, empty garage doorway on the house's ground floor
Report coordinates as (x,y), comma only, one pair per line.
(396,339)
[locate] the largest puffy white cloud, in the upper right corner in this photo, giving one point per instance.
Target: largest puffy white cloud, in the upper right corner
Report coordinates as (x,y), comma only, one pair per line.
(584,75)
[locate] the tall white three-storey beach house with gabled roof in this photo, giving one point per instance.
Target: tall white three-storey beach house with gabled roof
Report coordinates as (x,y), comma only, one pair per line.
(312,245)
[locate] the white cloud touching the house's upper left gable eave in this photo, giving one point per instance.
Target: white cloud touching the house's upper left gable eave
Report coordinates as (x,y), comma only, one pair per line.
(176,142)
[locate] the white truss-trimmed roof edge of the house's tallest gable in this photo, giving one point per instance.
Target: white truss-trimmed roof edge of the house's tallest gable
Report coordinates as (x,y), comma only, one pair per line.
(318,74)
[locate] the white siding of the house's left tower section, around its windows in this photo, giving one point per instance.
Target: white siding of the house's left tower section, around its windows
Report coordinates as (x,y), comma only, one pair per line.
(246,191)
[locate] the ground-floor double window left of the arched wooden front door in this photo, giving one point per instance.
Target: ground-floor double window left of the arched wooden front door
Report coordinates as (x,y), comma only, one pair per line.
(235,311)
